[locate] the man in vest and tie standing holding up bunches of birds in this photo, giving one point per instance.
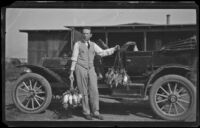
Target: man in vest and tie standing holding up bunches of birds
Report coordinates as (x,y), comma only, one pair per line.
(82,63)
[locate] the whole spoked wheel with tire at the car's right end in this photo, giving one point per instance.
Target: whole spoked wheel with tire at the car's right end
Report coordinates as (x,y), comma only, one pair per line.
(173,97)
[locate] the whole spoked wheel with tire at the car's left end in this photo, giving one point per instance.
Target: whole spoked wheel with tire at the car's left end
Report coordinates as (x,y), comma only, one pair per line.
(32,93)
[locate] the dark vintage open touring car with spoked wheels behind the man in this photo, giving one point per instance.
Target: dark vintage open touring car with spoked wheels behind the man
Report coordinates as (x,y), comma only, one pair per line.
(166,77)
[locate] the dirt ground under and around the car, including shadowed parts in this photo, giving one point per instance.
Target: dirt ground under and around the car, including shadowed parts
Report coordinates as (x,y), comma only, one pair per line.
(112,110)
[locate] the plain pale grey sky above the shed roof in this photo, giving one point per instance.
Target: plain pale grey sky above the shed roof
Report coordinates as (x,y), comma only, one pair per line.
(19,18)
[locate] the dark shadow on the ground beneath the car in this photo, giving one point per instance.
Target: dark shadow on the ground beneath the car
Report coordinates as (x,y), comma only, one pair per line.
(115,109)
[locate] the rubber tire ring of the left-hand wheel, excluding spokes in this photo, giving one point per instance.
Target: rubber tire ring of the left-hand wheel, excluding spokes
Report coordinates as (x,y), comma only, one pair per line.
(45,84)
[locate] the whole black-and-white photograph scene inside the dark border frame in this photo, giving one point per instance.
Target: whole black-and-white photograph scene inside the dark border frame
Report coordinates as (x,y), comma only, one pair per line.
(102,64)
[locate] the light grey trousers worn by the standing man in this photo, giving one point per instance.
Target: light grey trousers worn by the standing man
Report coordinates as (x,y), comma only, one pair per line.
(87,84)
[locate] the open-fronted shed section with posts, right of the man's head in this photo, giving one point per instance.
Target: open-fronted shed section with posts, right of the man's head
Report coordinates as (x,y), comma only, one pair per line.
(147,36)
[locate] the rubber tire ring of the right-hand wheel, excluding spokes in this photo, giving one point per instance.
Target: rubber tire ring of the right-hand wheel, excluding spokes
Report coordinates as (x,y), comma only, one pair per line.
(181,79)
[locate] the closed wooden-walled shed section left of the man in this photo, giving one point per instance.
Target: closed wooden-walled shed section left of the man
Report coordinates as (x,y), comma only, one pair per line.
(46,43)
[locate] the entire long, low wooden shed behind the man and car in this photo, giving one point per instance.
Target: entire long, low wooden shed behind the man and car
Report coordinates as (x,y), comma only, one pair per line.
(54,43)
